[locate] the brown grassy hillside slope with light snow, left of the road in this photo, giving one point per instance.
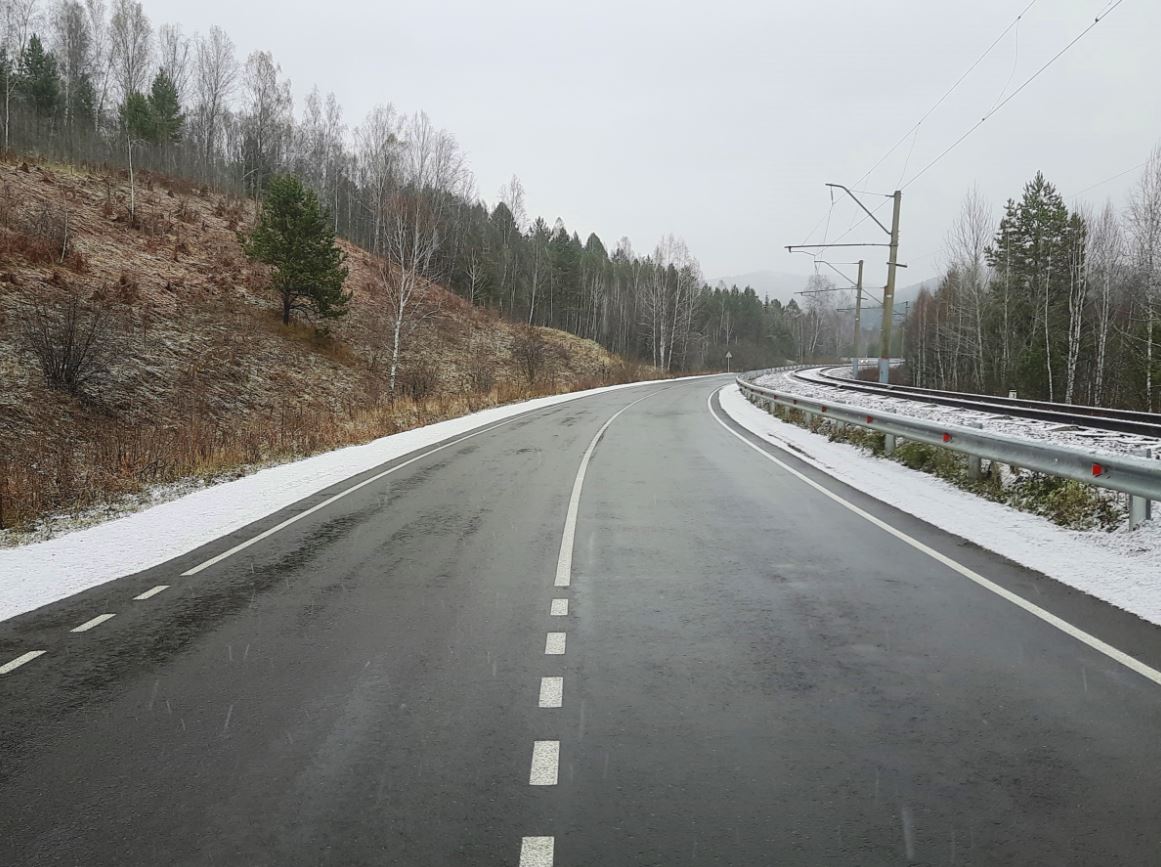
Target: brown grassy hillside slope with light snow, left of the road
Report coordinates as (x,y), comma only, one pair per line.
(196,375)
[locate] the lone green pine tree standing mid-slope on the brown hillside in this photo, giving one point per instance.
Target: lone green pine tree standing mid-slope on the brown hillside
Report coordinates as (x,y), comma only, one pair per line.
(294,236)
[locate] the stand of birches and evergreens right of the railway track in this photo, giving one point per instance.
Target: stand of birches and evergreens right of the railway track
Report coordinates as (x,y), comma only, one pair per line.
(1056,302)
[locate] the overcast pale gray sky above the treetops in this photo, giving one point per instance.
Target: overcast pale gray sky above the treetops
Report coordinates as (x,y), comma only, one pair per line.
(722,121)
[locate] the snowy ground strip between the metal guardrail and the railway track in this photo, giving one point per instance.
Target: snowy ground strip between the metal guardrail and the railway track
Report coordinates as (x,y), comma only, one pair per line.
(1087,438)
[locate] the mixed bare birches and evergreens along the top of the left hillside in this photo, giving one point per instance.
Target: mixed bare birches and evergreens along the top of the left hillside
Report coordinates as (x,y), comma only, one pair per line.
(83,82)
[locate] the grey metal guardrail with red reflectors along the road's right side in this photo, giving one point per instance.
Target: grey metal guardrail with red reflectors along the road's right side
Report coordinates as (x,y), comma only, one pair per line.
(1140,478)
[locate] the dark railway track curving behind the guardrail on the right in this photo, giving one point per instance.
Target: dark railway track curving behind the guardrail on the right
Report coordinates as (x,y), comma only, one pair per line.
(1143,424)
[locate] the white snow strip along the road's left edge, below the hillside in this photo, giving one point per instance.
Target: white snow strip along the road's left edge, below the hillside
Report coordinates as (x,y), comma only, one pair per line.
(35,575)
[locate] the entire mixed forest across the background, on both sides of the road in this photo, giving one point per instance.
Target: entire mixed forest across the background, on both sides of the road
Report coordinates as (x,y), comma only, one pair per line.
(1050,300)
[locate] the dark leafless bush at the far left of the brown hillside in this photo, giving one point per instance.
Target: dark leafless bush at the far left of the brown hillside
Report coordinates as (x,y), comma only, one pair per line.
(73,342)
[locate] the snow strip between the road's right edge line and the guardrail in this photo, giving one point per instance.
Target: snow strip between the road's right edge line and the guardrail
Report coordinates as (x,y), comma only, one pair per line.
(1122,568)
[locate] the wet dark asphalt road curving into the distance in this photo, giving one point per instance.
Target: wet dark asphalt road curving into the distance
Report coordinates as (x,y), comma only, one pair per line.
(752,675)
